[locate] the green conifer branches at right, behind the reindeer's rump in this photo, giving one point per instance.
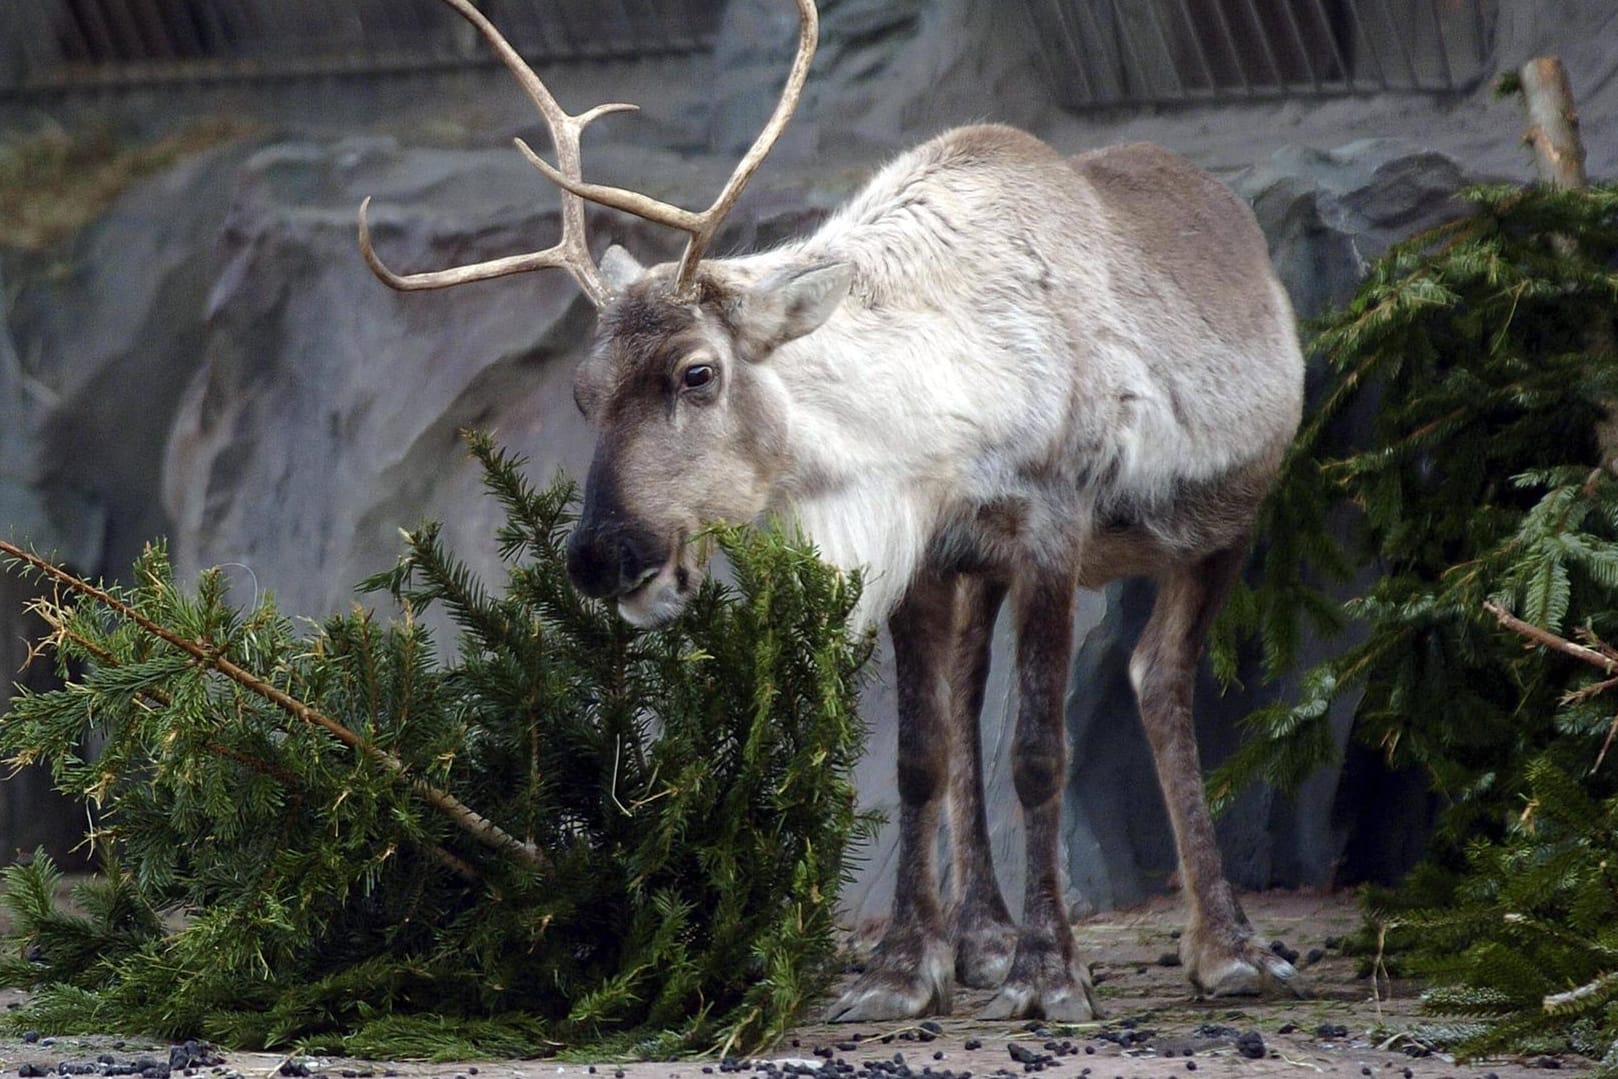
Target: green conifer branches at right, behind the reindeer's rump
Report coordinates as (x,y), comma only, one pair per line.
(1481,357)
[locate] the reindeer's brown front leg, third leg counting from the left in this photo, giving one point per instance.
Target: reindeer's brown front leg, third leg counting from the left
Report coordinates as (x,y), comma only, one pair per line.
(1048,978)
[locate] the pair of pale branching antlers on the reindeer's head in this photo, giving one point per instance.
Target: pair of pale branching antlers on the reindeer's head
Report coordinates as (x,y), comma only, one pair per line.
(572,252)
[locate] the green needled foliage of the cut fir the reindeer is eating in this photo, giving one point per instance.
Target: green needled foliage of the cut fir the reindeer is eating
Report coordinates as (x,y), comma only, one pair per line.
(684,795)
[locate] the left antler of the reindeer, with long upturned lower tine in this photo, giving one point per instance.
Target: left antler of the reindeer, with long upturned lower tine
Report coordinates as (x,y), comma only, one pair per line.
(572,253)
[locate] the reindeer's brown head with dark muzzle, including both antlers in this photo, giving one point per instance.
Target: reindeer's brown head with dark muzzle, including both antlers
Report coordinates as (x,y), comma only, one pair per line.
(692,423)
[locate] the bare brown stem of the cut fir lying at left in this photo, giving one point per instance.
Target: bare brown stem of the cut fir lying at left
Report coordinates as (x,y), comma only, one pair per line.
(468,819)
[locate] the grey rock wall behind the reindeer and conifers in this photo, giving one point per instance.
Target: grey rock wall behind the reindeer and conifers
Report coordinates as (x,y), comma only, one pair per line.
(213,363)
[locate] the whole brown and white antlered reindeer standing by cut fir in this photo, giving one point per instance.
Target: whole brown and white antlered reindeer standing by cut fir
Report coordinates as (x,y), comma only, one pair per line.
(994,373)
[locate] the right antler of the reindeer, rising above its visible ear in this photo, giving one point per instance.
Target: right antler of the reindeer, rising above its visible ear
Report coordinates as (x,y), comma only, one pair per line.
(703,226)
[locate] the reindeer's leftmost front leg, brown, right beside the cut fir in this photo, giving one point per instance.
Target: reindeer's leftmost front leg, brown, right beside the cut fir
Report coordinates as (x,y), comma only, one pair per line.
(913,968)
